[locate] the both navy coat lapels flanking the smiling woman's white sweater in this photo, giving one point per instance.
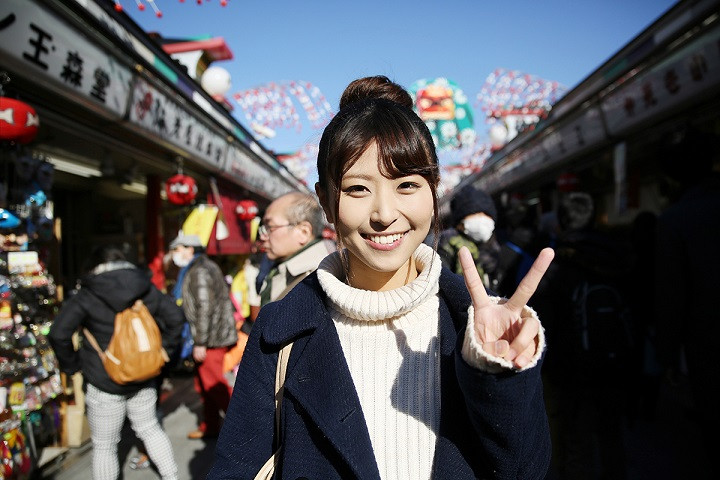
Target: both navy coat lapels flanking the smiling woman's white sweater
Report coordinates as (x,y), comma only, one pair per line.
(319,379)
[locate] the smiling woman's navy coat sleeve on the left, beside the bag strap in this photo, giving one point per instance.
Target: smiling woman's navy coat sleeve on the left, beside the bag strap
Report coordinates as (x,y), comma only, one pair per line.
(246,439)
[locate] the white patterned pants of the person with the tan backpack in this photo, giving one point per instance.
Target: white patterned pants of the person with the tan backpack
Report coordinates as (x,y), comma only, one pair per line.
(106,414)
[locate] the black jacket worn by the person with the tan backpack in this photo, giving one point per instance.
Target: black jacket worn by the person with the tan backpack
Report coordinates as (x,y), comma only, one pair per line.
(94,307)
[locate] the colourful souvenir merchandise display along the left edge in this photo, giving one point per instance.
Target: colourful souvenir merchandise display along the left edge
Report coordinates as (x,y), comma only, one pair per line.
(30,381)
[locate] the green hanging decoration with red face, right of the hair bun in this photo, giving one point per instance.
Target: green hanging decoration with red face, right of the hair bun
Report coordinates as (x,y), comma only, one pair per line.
(444,108)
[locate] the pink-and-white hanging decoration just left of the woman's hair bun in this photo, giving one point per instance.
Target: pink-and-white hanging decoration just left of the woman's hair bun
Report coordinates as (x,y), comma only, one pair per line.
(271,106)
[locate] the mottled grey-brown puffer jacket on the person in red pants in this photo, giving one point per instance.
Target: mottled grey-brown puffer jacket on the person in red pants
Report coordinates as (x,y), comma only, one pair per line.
(207,304)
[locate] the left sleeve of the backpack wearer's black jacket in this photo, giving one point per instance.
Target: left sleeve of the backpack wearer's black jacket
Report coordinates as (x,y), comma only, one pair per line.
(65,324)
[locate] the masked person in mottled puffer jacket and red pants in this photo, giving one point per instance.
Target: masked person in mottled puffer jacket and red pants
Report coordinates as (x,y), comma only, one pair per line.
(205,298)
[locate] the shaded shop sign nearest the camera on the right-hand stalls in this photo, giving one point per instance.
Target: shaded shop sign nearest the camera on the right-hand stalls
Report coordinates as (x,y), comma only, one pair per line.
(684,75)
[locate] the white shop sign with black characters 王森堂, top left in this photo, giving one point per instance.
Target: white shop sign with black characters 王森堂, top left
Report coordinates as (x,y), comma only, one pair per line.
(40,42)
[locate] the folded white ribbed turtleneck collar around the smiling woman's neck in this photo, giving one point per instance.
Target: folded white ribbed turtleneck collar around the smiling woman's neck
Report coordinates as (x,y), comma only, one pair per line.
(373,306)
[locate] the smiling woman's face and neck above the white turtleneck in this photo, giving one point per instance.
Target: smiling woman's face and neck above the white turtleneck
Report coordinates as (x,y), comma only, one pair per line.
(381,222)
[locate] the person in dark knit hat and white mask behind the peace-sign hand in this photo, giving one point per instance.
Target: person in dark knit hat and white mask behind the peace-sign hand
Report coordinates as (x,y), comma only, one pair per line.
(472,217)
